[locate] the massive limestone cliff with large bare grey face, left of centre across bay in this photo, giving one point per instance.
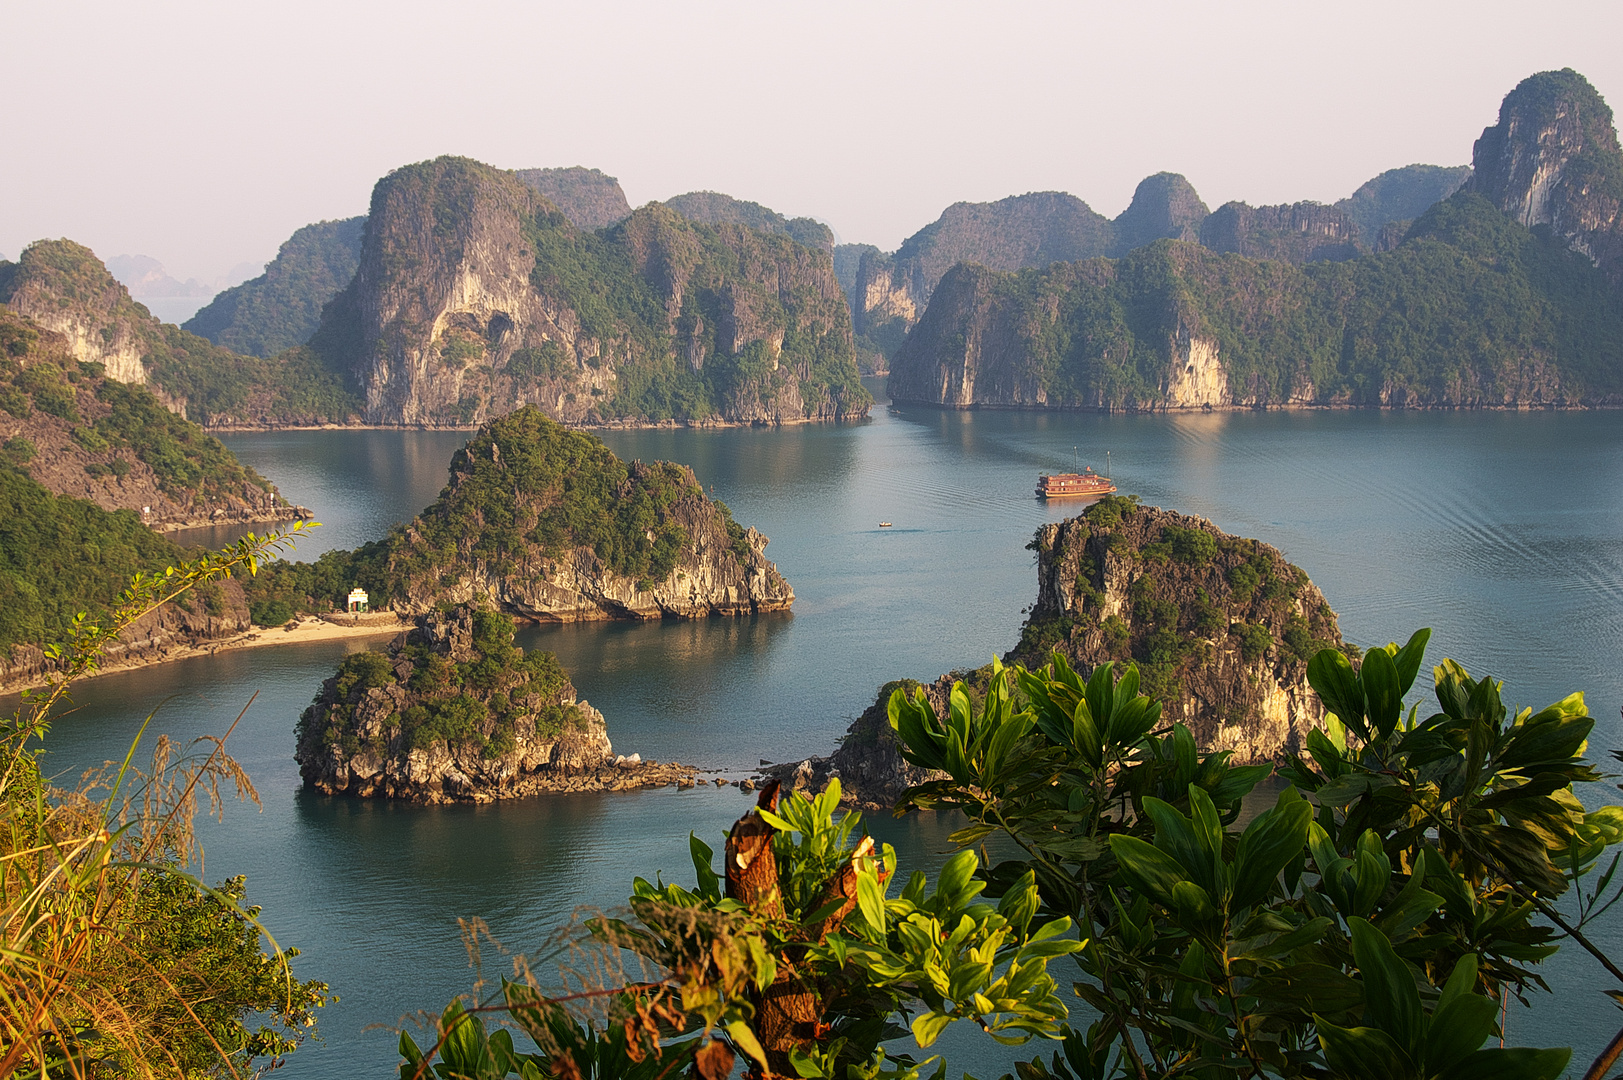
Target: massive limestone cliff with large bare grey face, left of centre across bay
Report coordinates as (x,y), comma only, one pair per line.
(476,296)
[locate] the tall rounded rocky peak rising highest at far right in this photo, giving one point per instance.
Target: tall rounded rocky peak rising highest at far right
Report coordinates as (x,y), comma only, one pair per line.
(1554,160)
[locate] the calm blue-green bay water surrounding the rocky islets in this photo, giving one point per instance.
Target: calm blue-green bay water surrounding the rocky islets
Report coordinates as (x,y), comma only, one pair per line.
(1502,532)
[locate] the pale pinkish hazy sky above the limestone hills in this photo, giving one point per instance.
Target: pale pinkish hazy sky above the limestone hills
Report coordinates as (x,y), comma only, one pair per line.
(205,134)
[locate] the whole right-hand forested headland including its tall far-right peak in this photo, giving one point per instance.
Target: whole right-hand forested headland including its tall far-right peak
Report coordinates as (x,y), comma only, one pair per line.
(1494,298)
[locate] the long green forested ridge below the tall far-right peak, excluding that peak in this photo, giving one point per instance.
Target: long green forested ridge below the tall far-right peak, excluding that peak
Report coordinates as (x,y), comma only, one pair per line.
(1473,309)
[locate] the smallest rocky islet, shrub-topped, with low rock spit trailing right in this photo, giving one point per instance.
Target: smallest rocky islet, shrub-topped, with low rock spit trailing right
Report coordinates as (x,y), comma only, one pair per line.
(455,712)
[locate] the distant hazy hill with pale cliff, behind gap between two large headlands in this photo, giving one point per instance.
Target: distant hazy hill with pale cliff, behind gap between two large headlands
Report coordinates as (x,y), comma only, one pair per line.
(1010,235)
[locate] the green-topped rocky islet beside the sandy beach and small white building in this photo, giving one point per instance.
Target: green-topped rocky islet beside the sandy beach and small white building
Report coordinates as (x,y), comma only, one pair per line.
(650,545)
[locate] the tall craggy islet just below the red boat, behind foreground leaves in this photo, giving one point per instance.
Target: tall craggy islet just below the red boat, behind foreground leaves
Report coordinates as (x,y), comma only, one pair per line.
(1221,628)
